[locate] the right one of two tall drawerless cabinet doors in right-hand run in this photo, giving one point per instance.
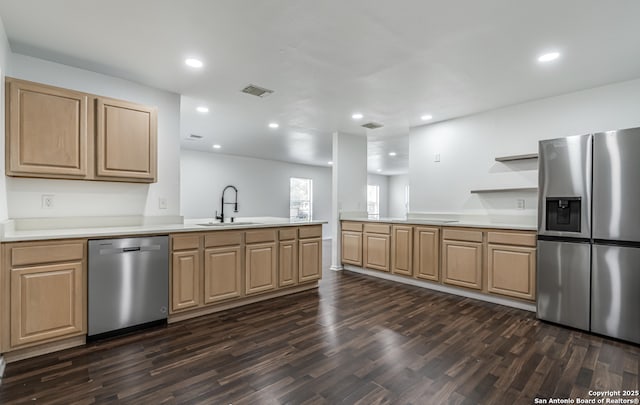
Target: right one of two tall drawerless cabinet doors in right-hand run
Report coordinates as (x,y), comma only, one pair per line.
(427,253)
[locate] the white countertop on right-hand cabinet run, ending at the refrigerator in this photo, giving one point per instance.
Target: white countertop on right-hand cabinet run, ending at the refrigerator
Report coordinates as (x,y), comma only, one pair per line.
(488,222)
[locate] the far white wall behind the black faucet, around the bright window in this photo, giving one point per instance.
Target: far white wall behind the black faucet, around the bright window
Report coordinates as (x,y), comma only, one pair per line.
(263,186)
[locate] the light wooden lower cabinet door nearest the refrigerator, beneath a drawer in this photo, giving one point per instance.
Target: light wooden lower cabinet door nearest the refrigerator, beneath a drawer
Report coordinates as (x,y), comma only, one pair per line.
(511,271)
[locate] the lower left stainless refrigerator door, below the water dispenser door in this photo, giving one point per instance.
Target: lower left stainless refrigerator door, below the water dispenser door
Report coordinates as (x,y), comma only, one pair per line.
(563,278)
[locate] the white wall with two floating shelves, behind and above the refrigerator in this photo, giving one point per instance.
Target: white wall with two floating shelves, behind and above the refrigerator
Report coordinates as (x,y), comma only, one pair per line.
(468,146)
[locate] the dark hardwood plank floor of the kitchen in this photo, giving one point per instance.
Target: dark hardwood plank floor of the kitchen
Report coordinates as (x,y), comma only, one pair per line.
(354,340)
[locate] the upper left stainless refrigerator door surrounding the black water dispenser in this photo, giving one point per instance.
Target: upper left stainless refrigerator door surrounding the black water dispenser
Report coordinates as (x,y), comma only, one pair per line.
(565,171)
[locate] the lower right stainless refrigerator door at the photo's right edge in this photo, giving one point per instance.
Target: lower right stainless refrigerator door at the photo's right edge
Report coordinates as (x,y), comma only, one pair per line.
(614,296)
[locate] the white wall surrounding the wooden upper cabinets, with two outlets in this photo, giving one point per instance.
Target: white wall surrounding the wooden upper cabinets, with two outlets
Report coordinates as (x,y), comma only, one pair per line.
(85,198)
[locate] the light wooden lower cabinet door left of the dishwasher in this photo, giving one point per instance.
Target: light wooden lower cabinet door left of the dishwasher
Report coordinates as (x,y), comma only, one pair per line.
(47,303)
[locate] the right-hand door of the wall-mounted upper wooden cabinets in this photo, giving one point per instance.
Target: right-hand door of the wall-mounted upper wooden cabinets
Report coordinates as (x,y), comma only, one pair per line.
(126,137)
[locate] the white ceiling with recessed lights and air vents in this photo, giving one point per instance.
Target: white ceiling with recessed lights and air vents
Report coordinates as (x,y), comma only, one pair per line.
(392,61)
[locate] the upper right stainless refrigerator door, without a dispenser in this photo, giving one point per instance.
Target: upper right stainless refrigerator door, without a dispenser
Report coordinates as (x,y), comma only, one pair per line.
(616,190)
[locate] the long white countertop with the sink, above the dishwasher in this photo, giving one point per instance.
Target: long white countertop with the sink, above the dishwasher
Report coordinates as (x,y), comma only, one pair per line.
(191,225)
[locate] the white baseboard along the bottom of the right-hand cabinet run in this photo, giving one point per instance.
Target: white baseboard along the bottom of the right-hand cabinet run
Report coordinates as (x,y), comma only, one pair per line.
(443,288)
